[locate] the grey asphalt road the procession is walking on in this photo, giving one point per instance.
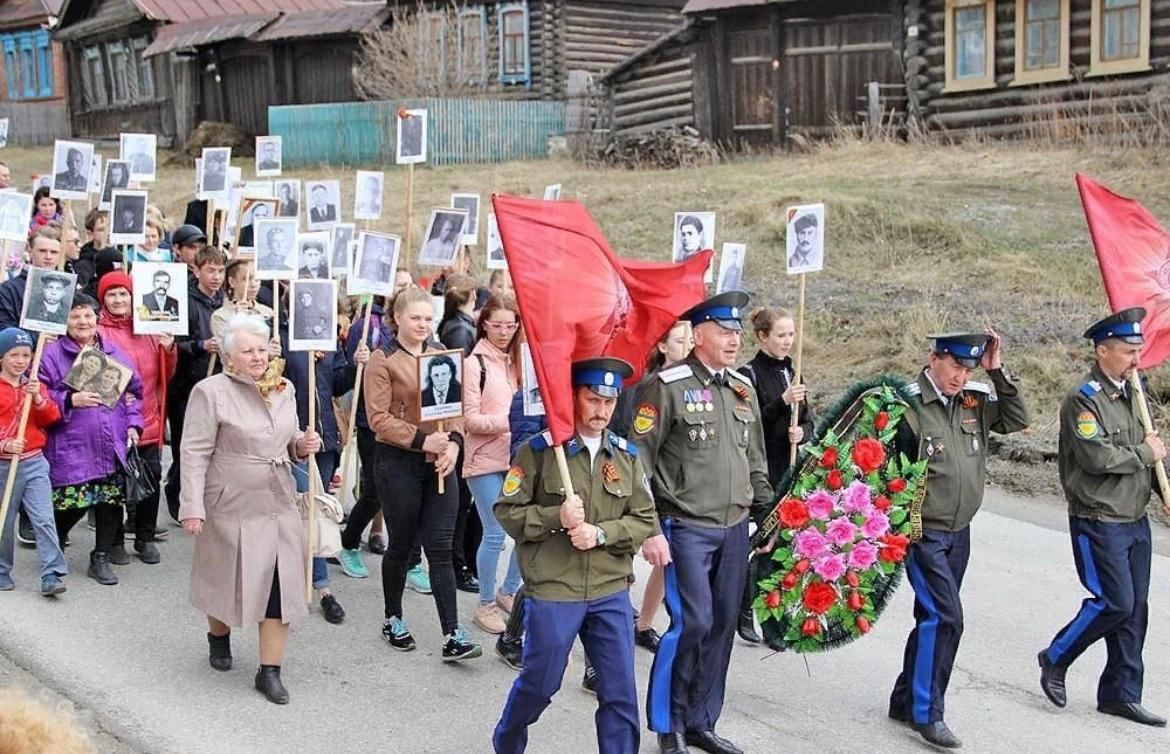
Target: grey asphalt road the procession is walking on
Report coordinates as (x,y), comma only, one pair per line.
(133,659)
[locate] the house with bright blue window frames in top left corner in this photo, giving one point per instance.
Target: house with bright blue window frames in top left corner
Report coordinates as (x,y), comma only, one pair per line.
(33,80)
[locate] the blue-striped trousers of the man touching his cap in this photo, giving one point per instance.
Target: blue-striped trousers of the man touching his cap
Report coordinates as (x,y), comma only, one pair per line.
(935,566)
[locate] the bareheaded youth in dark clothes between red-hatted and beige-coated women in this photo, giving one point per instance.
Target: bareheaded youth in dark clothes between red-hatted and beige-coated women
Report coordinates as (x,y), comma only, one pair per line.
(196,353)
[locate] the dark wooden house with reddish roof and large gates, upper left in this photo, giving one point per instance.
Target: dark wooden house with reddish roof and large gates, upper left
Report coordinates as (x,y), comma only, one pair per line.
(163,66)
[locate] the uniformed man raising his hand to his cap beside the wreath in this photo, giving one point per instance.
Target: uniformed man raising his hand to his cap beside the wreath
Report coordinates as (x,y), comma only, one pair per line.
(951,424)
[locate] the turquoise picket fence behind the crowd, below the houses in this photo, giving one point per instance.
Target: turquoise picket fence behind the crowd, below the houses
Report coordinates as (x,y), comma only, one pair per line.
(458,132)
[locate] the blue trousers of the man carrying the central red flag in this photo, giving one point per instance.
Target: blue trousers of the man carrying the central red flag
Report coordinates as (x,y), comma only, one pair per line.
(607,628)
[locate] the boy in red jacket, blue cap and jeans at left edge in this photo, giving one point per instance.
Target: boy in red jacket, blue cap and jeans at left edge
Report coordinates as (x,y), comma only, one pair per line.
(31,489)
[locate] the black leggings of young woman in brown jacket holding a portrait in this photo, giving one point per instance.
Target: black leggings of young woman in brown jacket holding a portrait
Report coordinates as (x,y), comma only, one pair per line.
(416,512)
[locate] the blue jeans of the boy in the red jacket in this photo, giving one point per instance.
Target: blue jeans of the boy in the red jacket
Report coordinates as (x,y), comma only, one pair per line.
(32,491)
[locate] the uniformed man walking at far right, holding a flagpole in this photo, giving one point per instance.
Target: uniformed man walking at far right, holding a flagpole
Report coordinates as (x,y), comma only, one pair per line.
(1106,461)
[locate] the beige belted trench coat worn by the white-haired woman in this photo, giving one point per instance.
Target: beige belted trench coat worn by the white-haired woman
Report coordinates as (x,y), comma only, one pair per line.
(237,478)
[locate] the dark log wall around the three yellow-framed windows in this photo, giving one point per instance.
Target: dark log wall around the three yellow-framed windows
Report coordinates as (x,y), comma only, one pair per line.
(1007,104)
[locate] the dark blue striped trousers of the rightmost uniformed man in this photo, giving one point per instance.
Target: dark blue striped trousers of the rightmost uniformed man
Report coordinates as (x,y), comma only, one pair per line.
(1113,563)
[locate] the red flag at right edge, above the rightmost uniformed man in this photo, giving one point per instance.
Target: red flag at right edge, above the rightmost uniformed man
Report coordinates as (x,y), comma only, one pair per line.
(1134,255)
